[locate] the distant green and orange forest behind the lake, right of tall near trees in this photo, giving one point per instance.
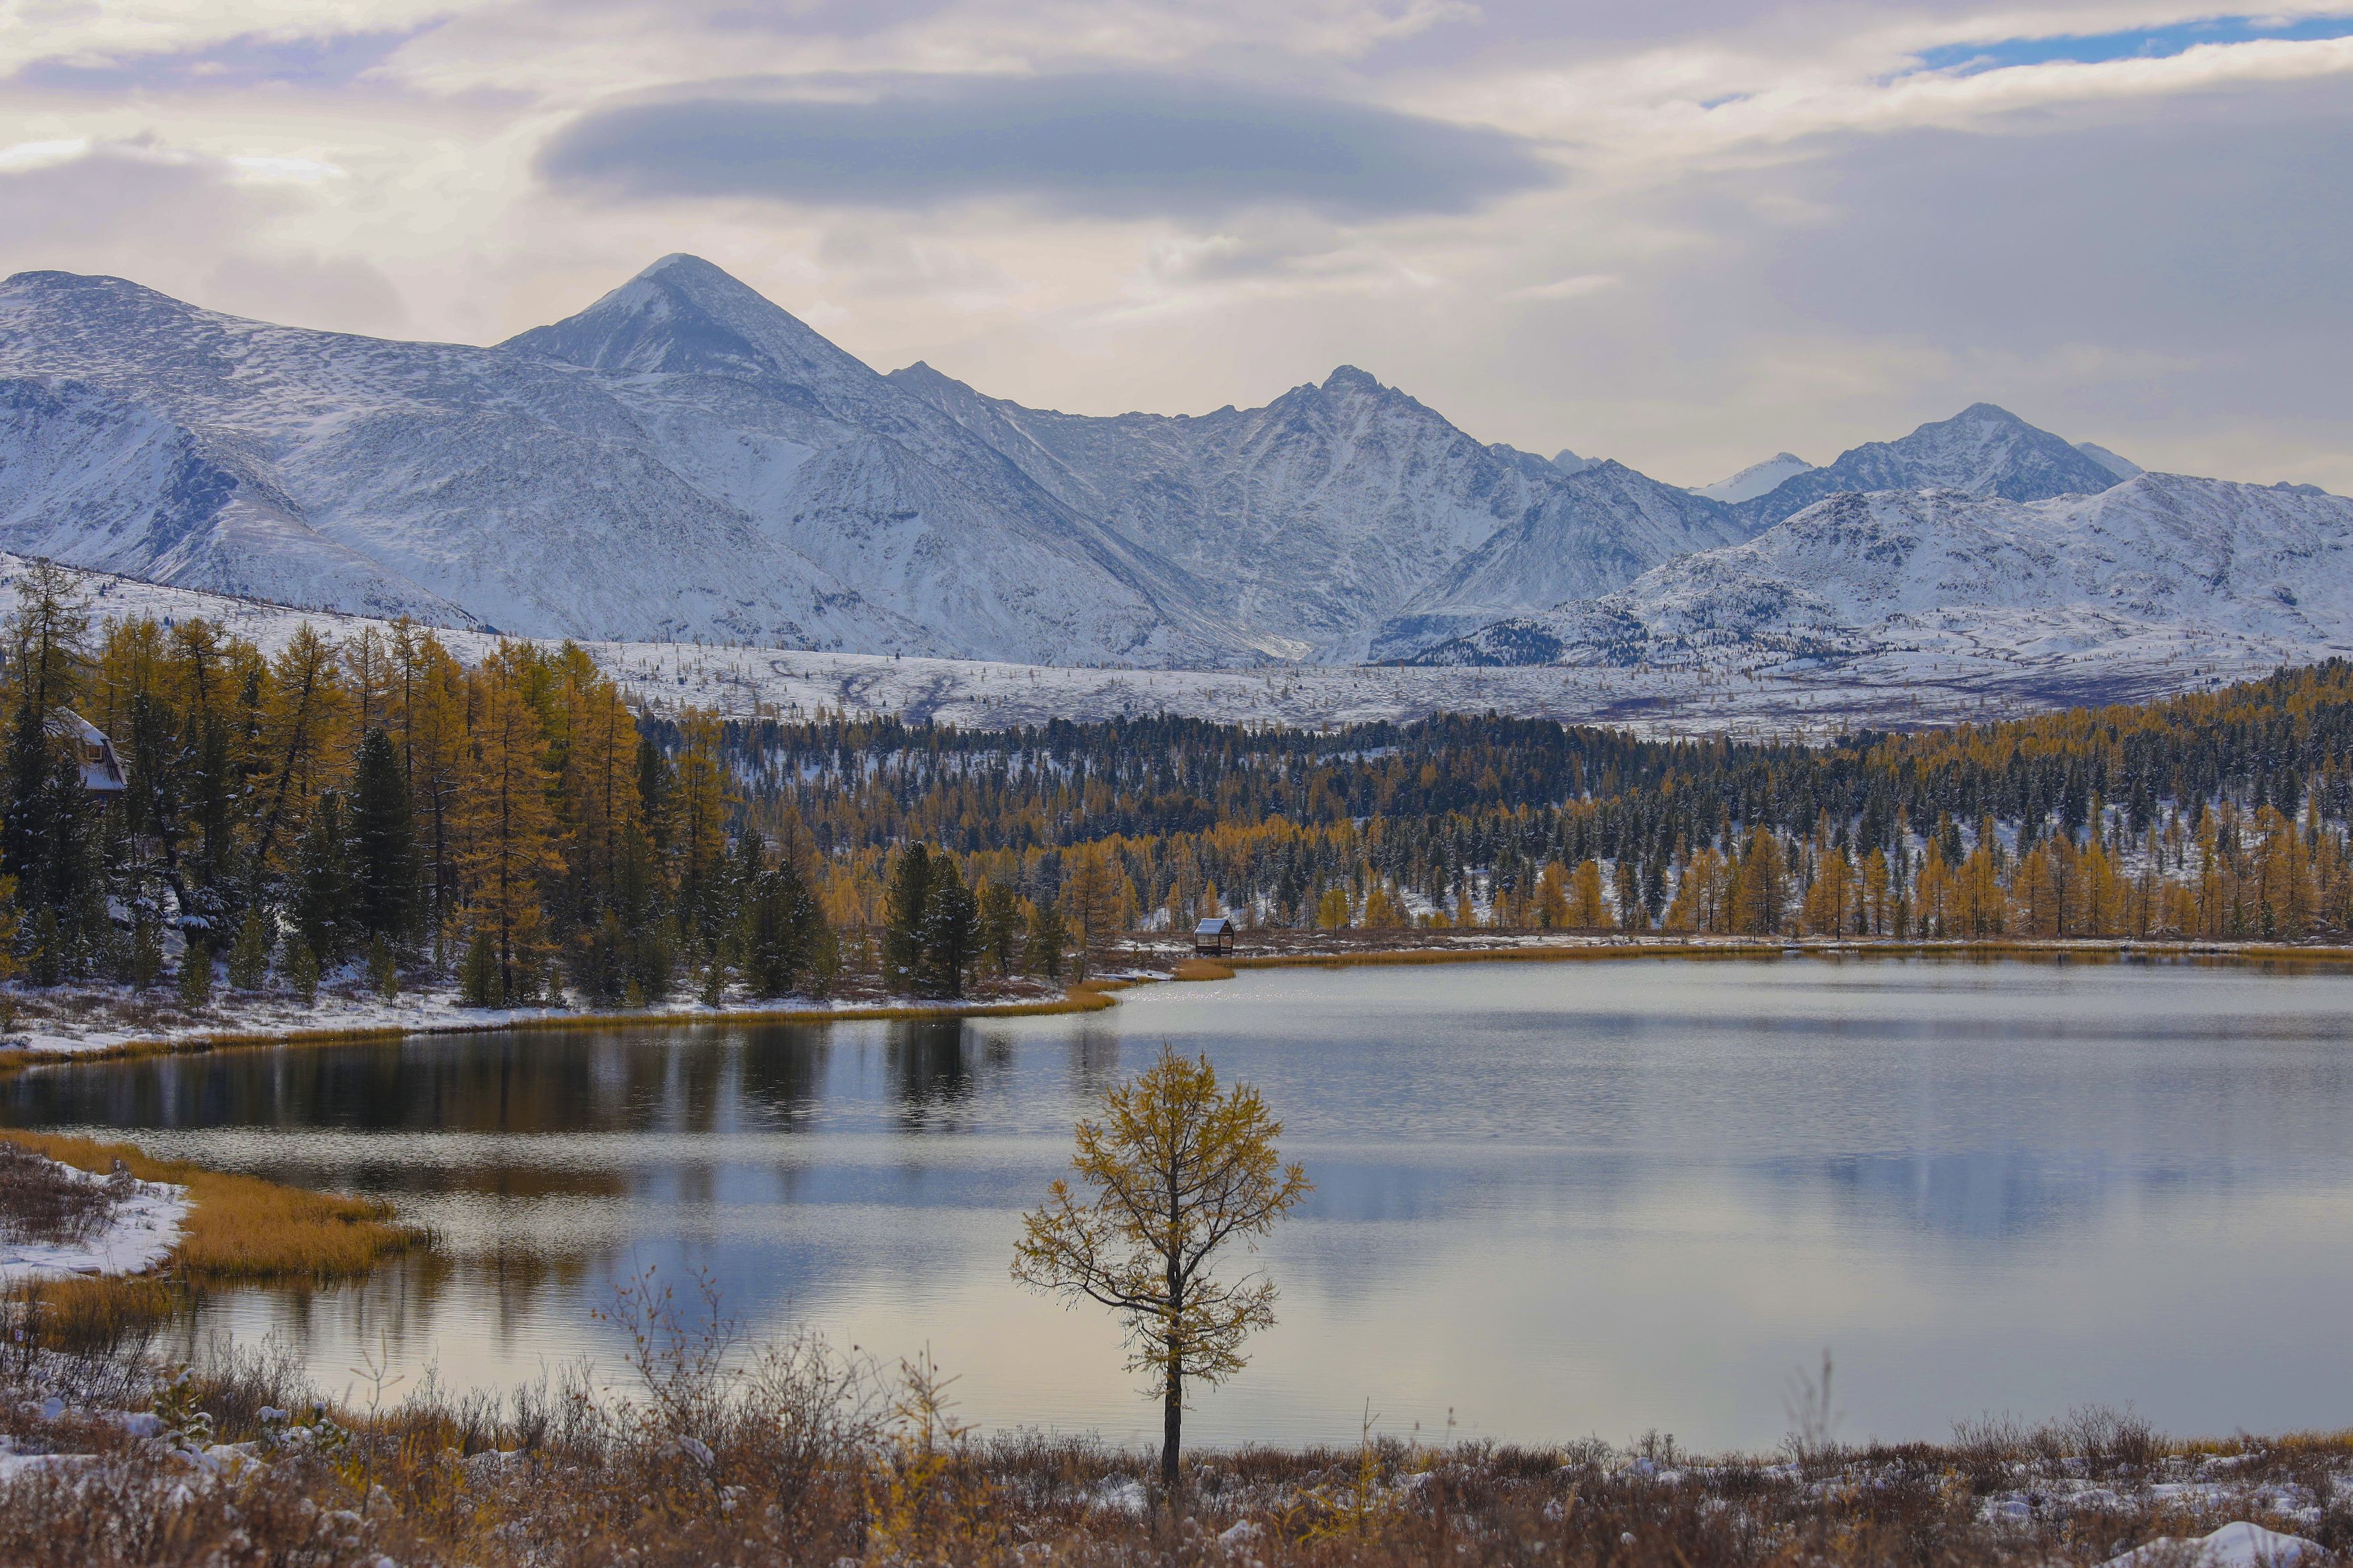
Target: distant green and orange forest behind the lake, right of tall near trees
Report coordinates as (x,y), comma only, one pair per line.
(2204,817)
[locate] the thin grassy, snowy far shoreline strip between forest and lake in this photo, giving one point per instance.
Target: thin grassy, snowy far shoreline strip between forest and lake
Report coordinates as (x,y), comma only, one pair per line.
(1178,965)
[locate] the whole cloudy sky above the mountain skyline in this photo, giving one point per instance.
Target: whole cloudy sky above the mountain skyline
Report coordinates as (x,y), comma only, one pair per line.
(1679,234)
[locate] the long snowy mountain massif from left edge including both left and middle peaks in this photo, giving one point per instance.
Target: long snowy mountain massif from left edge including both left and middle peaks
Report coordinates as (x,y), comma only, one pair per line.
(684,460)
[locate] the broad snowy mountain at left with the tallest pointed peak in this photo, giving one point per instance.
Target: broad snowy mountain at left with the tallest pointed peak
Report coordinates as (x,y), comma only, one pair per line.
(754,481)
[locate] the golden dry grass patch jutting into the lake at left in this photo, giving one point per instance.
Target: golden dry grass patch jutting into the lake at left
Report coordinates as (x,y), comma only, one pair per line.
(241,1226)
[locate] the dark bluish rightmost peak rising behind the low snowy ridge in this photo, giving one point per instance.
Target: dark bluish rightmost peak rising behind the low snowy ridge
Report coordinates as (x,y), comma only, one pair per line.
(1980,453)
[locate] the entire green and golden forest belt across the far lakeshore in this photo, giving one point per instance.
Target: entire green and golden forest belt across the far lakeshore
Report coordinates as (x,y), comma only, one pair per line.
(521,831)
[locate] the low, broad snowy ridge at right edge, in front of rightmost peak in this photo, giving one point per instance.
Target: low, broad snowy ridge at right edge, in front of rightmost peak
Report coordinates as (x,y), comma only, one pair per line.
(2204,563)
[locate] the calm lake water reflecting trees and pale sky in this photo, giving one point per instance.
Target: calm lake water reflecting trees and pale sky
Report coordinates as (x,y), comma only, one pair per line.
(1554,1200)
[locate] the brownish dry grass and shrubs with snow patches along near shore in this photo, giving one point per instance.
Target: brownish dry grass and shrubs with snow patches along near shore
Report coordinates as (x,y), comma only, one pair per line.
(721,1454)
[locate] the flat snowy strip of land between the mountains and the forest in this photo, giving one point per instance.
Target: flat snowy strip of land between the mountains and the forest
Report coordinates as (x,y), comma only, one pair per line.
(1917,671)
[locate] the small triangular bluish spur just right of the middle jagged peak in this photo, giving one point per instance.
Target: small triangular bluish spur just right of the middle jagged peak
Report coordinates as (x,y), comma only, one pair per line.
(1597,532)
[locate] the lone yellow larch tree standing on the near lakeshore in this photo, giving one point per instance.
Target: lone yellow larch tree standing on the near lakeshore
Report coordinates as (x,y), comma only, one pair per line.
(1173,1172)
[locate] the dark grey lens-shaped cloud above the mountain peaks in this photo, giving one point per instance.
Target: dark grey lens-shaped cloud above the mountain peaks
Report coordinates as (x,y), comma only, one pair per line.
(1081,145)
